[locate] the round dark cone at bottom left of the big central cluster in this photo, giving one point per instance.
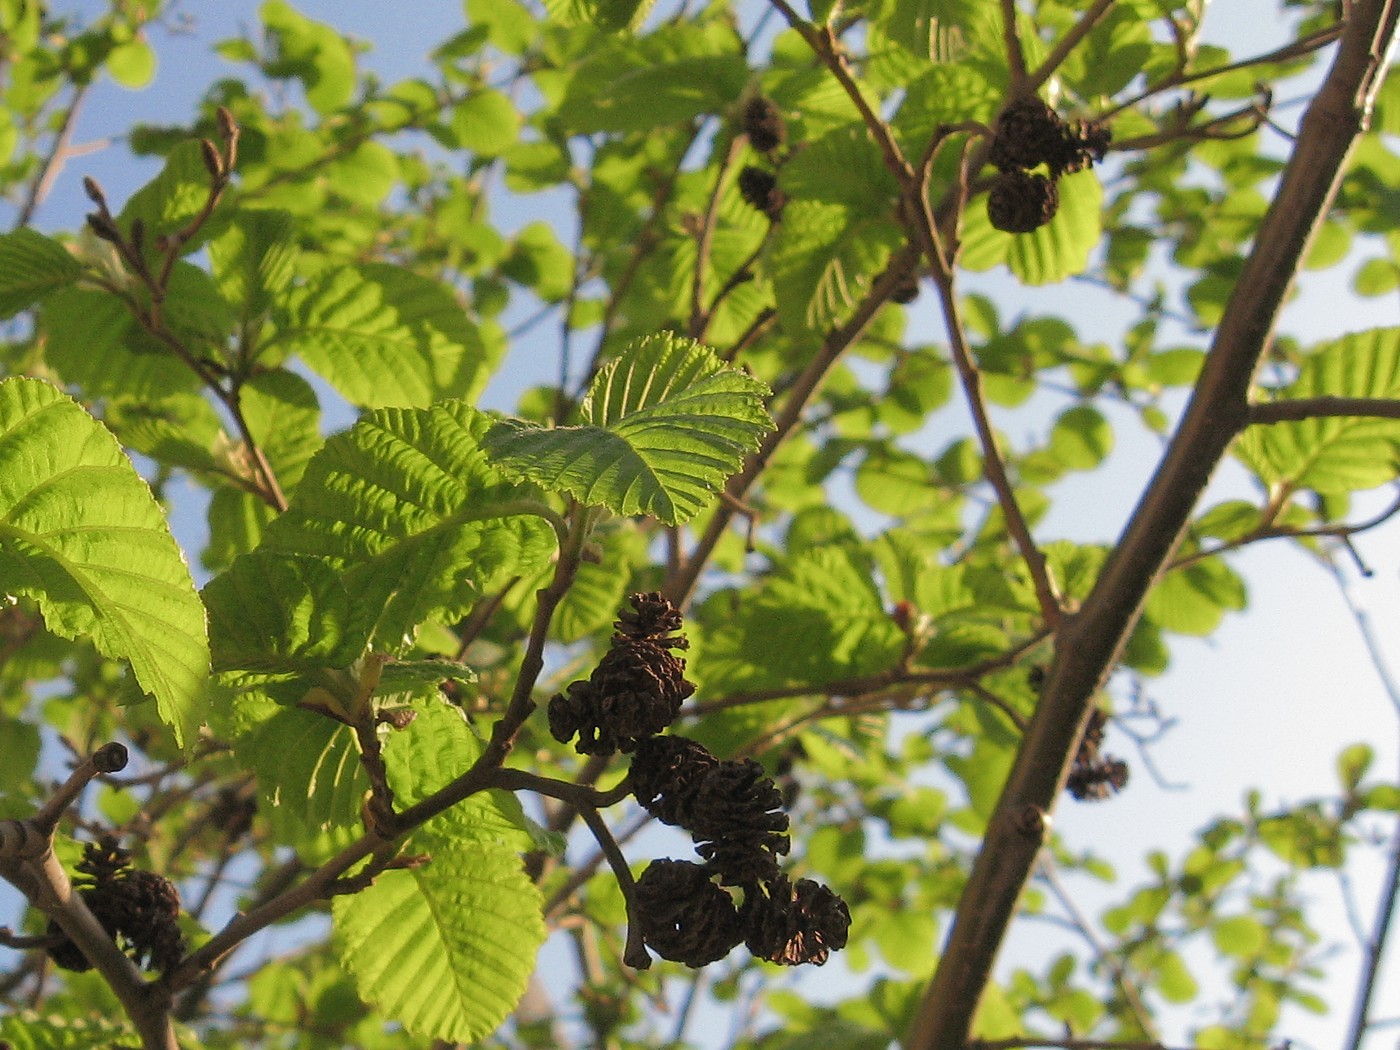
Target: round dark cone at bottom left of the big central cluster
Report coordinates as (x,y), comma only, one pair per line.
(684,916)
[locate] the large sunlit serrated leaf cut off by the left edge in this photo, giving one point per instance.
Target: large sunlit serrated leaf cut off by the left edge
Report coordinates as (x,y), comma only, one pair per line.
(82,535)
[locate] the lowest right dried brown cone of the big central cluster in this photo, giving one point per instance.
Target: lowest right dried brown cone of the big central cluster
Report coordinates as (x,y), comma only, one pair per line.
(796,925)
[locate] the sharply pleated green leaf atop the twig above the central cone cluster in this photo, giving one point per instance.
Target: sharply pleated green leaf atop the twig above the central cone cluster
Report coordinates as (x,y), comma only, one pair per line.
(667,423)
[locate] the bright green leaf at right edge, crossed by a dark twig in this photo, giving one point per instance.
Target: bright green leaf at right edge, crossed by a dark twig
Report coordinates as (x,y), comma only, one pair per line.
(1335,454)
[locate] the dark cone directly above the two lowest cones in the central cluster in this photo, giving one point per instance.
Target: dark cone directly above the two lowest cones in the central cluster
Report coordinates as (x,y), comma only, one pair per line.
(738,824)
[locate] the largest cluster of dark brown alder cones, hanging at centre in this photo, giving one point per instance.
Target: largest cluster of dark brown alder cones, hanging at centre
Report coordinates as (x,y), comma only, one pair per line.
(734,813)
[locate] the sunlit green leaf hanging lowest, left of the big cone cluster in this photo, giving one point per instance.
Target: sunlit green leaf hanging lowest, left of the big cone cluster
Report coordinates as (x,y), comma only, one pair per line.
(446,948)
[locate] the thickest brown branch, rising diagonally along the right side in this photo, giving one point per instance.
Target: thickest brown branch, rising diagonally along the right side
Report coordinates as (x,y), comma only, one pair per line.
(1091,640)
